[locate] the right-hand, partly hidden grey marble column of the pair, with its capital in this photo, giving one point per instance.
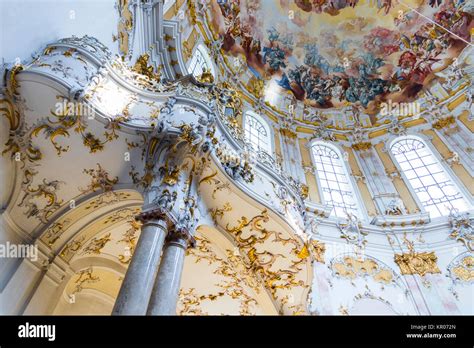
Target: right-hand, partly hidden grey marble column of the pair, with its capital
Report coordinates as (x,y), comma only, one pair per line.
(164,296)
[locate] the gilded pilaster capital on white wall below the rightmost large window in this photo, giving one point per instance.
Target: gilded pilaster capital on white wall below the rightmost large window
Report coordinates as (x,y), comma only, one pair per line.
(413,262)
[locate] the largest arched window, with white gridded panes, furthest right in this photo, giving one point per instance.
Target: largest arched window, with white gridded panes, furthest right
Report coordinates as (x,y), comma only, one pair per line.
(431,183)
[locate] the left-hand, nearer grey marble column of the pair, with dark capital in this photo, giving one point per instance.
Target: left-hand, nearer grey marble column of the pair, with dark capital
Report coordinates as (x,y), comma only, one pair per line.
(136,287)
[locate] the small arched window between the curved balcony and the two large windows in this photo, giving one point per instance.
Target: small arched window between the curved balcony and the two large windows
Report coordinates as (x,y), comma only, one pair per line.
(257,132)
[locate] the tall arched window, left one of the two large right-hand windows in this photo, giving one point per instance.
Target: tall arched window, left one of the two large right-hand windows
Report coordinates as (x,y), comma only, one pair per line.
(334,180)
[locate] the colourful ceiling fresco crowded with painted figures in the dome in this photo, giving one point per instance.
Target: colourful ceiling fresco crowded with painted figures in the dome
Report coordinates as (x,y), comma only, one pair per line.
(335,53)
